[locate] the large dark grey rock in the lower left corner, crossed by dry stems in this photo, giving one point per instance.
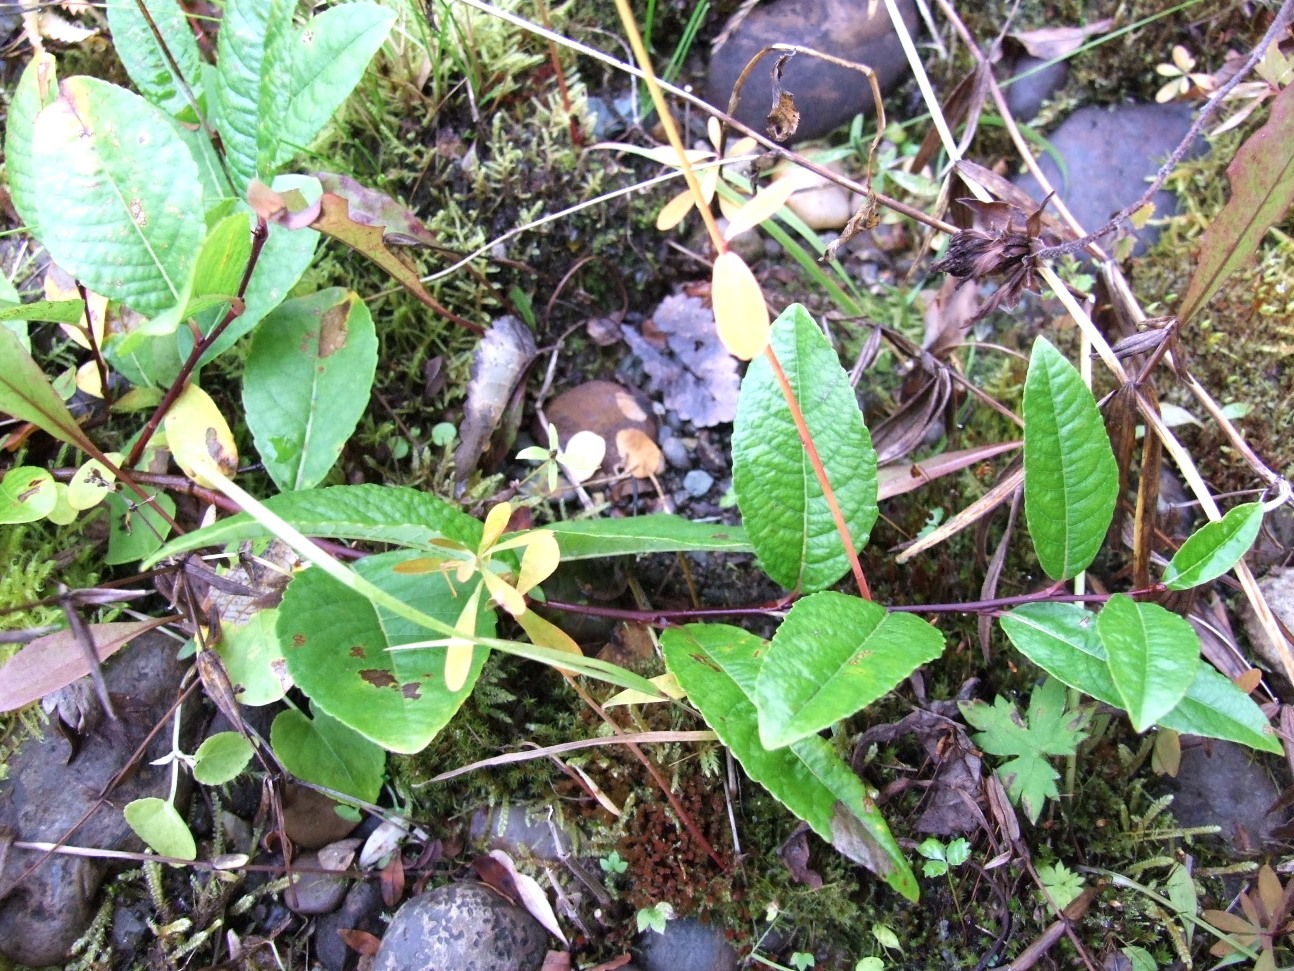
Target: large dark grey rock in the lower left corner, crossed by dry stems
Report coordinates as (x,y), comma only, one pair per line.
(49,792)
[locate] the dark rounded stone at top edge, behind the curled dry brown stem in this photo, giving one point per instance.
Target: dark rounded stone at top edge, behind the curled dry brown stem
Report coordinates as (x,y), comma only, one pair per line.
(826,95)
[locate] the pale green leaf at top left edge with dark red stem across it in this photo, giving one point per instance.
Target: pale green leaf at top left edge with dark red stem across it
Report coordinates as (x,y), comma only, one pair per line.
(144,59)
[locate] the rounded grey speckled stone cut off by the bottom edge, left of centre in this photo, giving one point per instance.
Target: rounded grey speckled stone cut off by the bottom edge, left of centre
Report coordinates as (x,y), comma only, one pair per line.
(463,926)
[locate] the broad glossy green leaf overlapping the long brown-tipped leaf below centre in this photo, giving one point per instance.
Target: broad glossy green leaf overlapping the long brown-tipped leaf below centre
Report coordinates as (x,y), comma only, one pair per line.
(835,656)
